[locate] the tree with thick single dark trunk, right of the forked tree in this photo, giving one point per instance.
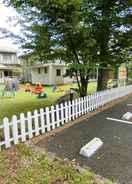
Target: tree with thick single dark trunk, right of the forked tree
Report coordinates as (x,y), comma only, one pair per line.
(113,22)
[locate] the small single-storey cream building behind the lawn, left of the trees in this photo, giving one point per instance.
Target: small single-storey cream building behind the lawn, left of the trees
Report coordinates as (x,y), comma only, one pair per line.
(48,73)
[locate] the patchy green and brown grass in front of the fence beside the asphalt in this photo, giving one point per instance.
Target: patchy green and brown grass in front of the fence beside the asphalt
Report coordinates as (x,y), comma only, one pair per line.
(21,165)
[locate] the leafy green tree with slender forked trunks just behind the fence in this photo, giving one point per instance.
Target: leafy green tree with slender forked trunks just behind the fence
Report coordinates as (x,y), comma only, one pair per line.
(70,38)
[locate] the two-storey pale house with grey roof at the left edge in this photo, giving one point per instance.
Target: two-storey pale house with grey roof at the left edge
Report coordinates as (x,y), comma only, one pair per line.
(9,63)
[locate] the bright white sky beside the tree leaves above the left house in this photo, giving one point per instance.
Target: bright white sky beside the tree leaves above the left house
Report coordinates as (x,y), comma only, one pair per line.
(5,13)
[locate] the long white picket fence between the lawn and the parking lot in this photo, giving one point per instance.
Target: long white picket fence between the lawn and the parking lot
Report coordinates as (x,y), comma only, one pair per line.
(38,122)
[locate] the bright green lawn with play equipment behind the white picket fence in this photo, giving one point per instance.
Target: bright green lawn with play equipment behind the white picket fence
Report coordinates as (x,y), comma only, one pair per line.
(24,102)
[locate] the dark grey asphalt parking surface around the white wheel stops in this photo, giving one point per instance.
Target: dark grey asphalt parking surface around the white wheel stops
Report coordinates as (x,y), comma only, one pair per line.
(114,159)
